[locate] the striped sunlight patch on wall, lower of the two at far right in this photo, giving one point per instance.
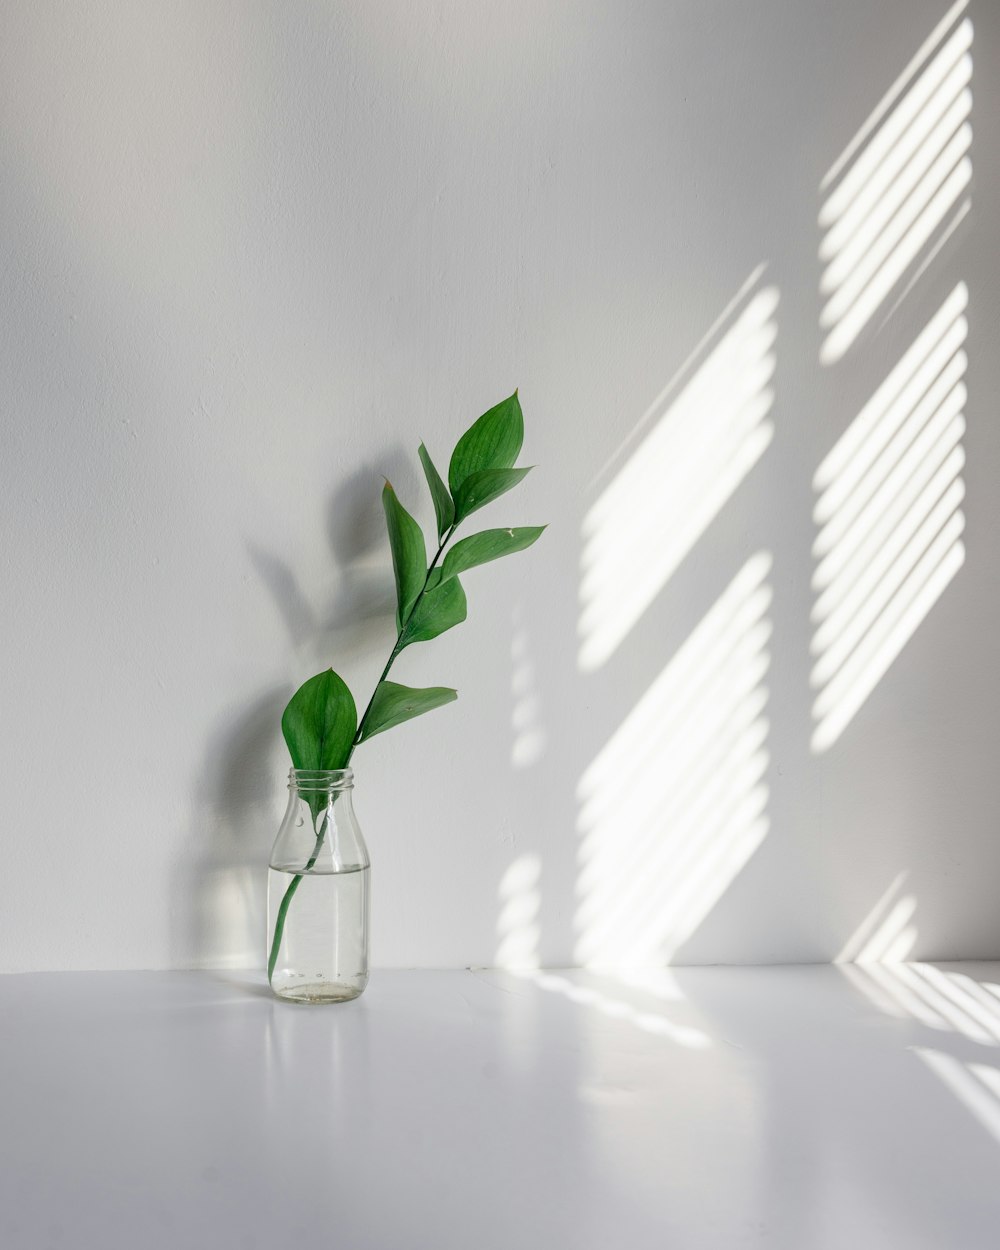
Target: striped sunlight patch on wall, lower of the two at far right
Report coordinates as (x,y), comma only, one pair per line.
(891,522)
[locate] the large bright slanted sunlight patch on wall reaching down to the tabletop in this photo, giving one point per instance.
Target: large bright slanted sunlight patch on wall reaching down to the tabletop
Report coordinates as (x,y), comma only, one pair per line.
(674,806)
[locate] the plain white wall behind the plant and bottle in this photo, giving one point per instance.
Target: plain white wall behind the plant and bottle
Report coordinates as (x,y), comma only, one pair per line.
(252,256)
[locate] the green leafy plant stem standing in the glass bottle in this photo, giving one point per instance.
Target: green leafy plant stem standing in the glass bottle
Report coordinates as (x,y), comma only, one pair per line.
(321,723)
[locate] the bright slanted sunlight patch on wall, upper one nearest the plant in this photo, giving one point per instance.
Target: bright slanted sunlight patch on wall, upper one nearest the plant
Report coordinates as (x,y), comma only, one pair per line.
(703,441)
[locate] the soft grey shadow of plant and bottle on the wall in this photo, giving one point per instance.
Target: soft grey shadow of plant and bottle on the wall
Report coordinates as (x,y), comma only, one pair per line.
(221,892)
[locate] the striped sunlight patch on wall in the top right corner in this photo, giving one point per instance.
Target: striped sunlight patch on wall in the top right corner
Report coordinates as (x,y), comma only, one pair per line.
(899,188)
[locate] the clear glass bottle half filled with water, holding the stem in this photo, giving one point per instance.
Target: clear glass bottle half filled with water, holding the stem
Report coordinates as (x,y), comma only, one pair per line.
(319,893)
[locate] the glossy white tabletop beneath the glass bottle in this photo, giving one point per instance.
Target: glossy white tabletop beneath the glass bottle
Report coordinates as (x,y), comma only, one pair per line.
(713,1108)
